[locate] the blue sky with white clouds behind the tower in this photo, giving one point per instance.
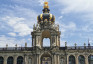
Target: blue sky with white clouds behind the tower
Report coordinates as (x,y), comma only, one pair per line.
(17,18)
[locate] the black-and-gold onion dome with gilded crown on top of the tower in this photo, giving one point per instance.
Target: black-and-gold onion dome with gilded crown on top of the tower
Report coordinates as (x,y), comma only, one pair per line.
(46,16)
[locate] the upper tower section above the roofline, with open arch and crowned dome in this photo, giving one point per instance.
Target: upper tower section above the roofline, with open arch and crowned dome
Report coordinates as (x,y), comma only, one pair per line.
(46,28)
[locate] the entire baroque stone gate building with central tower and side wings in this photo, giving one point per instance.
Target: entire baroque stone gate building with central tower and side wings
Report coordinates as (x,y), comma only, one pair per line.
(37,54)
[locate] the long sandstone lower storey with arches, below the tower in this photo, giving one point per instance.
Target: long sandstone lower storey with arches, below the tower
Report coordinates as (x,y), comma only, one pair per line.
(57,55)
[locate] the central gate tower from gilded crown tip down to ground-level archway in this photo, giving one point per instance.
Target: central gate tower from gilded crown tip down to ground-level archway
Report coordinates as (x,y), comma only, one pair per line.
(46,28)
